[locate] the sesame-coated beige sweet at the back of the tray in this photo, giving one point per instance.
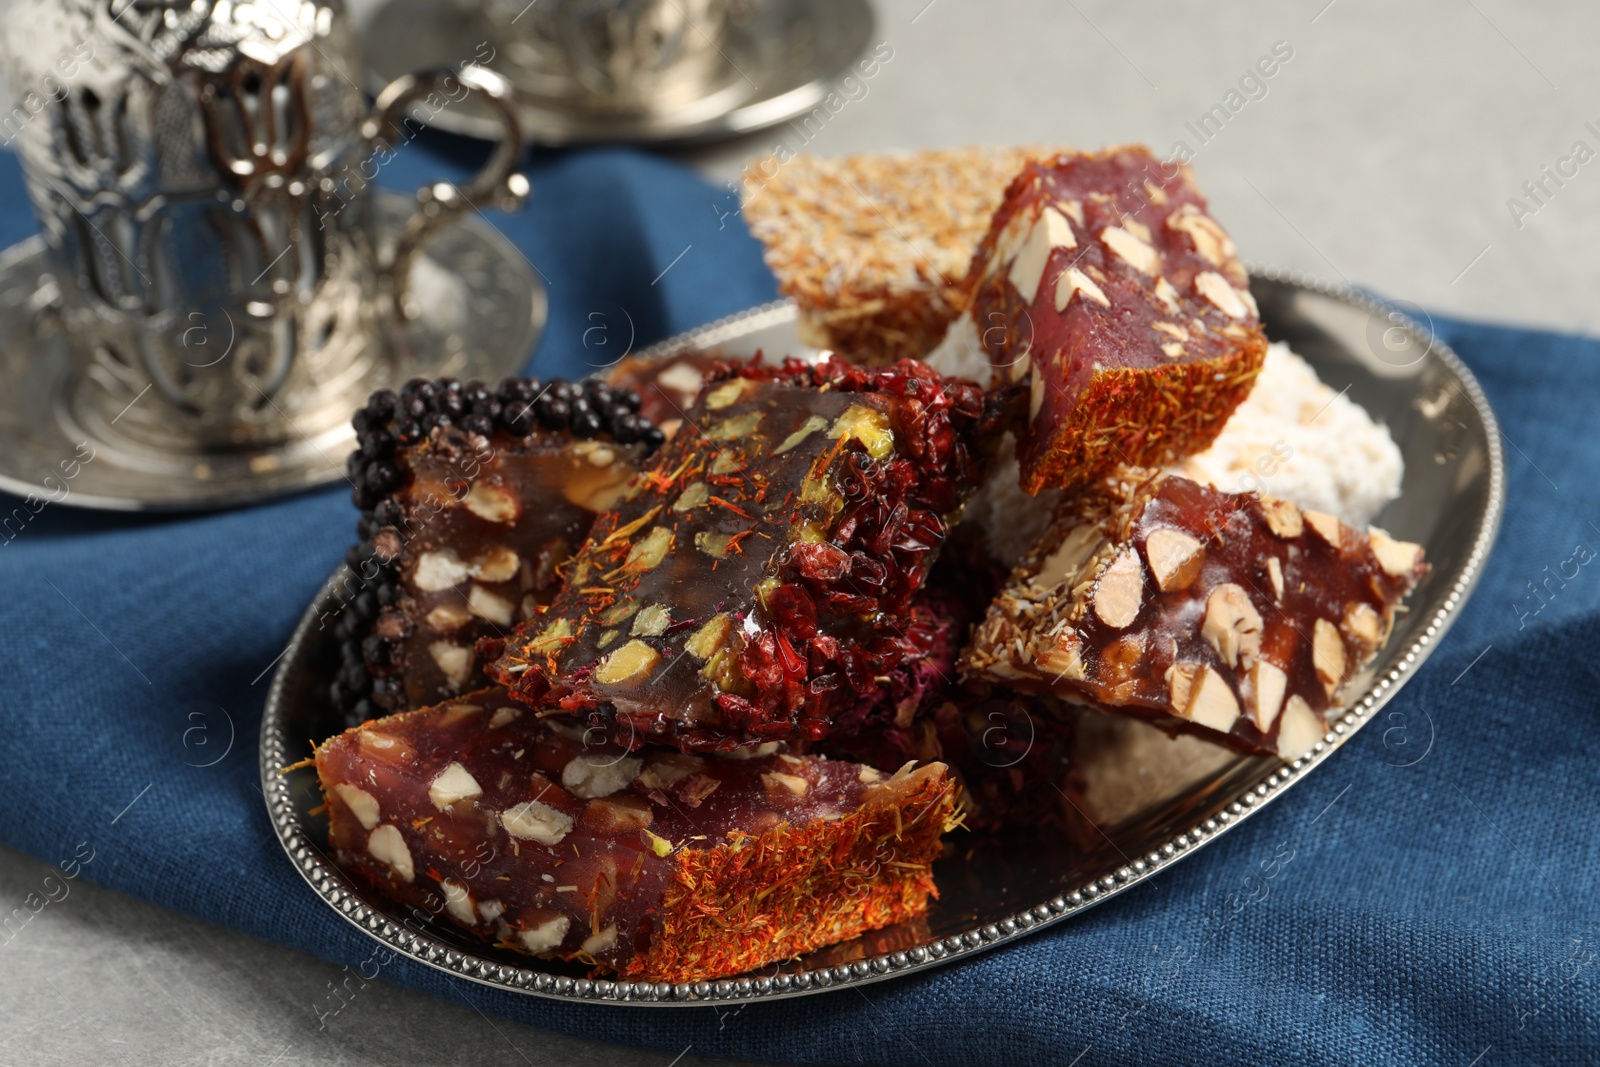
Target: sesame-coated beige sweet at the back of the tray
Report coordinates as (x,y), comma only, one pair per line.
(874,249)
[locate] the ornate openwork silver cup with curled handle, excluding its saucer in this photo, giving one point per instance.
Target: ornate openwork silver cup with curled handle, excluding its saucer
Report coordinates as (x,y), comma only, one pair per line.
(217,273)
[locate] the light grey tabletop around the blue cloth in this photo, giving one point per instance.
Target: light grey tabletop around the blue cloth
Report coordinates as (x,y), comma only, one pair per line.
(1390,151)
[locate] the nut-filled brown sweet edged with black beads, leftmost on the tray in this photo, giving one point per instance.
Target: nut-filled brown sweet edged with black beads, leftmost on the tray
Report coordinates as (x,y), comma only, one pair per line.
(470,497)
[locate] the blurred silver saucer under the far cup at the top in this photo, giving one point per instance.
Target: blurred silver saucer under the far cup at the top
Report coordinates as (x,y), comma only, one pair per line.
(778,63)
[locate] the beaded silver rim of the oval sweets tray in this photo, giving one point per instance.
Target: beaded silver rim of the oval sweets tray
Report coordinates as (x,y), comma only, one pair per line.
(335,890)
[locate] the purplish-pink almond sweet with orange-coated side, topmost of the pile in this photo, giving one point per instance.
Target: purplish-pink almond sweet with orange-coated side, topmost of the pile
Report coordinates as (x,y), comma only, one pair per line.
(1110,292)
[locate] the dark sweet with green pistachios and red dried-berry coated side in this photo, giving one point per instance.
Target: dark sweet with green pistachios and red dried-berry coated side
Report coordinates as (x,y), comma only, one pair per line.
(758,578)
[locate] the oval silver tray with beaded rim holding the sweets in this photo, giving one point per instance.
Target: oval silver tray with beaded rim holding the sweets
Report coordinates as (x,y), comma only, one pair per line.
(999,889)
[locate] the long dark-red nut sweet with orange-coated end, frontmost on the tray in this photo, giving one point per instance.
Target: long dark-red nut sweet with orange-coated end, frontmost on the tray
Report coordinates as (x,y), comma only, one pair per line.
(655,866)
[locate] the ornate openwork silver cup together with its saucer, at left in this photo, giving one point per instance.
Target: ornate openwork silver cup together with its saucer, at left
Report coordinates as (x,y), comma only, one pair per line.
(218,282)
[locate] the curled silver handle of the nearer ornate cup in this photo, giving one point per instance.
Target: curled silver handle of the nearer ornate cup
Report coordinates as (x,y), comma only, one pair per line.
(497,183)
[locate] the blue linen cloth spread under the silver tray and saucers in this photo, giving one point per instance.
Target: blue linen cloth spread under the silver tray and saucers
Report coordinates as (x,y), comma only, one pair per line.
(1426,914)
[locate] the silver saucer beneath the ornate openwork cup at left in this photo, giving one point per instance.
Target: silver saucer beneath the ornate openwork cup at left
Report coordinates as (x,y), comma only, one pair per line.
(479,313)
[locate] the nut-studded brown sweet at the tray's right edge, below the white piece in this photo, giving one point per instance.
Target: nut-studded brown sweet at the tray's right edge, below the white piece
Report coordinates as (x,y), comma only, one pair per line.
(1231,613)
